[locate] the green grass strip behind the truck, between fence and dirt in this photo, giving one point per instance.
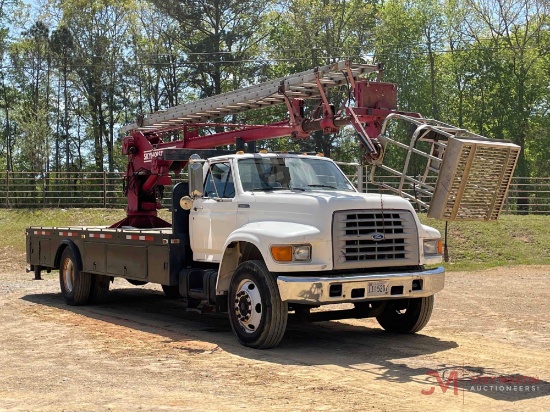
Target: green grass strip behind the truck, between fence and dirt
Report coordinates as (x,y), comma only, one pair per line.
(512,240)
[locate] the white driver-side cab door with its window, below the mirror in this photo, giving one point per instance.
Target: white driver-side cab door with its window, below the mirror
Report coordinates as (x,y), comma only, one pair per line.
(214,216)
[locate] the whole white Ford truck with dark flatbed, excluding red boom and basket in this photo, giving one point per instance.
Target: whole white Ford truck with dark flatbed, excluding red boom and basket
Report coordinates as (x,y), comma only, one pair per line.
(268,234)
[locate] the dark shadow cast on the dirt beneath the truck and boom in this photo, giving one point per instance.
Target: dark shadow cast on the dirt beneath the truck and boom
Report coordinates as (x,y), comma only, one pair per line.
(383,356)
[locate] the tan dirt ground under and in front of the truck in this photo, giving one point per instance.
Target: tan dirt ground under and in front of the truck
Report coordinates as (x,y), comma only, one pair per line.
(490,333)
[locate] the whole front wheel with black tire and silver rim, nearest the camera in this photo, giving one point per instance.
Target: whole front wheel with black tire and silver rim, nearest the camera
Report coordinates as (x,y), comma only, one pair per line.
(258,316)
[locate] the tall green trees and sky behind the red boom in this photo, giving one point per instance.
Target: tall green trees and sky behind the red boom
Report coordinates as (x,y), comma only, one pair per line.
(74,71)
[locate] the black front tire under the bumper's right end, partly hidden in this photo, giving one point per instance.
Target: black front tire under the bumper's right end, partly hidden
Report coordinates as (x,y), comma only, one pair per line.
(407,315)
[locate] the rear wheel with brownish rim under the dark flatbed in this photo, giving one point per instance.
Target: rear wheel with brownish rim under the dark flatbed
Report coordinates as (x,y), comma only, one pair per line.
(75,285)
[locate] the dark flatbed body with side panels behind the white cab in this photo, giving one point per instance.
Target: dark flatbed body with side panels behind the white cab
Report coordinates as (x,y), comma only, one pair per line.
(148,255)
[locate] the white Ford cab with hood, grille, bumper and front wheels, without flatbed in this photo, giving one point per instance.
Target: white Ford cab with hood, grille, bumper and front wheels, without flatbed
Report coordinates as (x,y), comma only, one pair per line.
(291,233)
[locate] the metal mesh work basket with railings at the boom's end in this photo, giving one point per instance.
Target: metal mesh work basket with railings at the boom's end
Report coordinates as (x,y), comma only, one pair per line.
(465,176)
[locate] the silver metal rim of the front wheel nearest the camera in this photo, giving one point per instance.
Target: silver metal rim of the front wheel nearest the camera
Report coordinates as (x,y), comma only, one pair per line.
(248,306)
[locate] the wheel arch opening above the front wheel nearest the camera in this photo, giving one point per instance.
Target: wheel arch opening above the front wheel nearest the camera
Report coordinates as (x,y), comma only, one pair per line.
(235,253)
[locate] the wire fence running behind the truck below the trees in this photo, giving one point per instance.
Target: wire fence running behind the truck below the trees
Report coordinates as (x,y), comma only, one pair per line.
(106,190)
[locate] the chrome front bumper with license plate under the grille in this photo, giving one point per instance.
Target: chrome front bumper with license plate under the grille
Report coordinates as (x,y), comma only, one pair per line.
(359,287)
